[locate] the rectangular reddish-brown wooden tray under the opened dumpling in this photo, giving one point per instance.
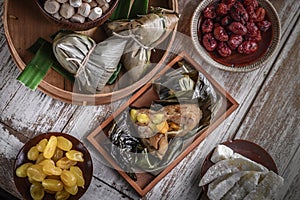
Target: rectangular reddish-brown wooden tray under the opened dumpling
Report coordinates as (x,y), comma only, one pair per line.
(145,180)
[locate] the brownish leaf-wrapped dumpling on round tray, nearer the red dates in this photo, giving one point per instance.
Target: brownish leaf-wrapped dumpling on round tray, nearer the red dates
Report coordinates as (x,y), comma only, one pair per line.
(145,33)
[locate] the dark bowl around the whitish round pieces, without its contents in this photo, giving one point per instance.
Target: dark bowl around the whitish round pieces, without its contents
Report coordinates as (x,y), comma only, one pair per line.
(67,24)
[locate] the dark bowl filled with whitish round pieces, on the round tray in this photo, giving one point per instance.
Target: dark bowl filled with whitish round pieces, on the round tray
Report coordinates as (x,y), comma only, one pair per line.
(77,14)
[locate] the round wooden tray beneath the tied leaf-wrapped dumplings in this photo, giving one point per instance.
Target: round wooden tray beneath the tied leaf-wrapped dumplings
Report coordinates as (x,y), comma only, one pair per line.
(26,21)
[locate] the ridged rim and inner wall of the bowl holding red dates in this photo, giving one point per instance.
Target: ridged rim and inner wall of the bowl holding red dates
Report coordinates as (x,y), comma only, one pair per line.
(261,61)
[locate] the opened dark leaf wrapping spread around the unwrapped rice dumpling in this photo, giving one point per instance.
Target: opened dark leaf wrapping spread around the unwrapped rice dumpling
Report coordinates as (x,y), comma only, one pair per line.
(170,91)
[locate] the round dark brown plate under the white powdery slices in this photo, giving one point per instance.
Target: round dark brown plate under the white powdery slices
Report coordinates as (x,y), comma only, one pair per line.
(246,148)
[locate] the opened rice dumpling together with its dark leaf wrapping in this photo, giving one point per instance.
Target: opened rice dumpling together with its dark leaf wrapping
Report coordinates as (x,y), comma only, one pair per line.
(150,137)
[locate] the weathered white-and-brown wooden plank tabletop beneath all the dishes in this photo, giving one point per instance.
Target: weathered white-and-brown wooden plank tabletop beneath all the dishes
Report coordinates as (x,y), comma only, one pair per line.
(266,115)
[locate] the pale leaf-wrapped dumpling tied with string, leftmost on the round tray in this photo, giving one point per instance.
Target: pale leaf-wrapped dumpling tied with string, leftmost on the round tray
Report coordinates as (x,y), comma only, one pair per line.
(91,64)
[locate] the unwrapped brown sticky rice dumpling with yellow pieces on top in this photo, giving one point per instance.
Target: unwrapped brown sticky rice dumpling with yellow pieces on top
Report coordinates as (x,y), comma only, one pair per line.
(156,128)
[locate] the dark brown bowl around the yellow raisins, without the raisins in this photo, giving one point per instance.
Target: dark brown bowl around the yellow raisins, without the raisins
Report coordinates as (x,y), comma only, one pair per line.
(23,185)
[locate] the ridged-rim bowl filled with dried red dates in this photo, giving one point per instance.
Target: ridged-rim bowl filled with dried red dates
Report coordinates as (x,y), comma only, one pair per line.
(236,35)
